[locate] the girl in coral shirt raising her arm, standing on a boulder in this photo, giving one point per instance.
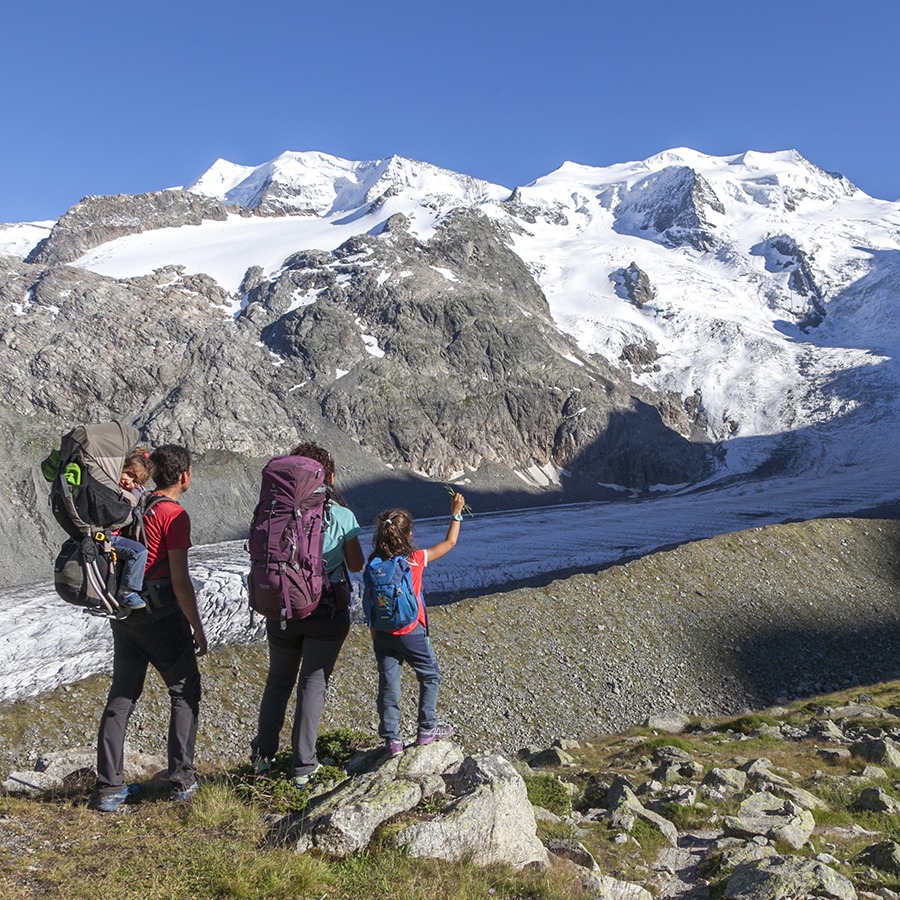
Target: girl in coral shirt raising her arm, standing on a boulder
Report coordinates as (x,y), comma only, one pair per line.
(394,537)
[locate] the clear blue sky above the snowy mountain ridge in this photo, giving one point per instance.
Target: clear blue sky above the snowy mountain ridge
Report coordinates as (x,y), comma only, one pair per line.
(113,97)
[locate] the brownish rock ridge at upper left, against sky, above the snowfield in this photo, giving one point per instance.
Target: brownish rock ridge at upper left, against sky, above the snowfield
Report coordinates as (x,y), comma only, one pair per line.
(96,220)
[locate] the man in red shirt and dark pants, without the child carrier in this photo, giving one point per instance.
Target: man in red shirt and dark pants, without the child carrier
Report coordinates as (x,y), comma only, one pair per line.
(168,635)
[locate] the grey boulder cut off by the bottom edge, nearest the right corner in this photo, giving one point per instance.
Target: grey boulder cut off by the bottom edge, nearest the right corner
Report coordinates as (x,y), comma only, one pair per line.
(787,878)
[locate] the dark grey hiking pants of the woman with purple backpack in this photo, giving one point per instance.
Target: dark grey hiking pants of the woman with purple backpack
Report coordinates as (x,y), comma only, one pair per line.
(310,648)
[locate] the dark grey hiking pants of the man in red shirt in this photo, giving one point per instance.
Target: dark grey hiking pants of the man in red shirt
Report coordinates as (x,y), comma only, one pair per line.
(167,644)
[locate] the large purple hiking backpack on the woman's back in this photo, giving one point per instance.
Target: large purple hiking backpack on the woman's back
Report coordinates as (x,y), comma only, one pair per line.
(287,573)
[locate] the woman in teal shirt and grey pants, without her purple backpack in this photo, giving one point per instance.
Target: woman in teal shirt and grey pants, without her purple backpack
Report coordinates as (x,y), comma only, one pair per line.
(308,647)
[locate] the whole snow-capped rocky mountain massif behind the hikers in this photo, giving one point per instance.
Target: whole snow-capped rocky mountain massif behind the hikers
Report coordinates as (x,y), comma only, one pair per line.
(600,332)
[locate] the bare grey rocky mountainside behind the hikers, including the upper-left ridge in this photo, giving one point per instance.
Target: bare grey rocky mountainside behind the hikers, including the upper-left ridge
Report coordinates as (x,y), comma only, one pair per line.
(438,357)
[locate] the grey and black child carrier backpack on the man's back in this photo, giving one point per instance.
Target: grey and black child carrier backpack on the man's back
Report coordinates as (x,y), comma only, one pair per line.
(88,503)
